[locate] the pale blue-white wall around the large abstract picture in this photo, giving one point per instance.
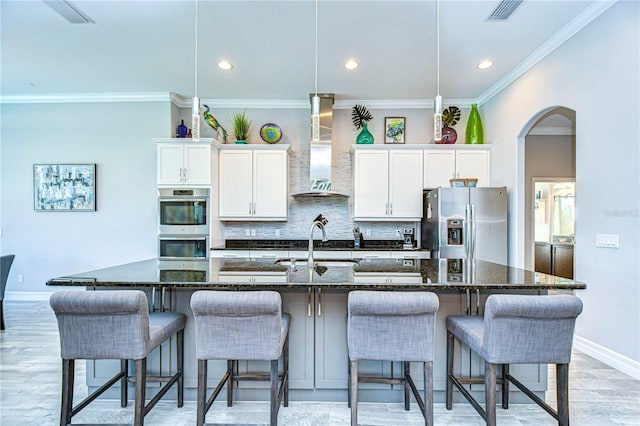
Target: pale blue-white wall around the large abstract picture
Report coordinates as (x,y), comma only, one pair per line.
(115,136)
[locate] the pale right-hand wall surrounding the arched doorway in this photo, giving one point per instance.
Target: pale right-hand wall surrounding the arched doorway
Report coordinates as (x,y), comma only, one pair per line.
(596,74)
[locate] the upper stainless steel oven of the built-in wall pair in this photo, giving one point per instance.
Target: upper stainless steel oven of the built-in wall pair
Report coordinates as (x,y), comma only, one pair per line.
(183,211)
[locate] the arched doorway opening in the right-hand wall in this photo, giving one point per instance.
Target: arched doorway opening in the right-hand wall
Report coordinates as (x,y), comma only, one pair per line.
(546,152)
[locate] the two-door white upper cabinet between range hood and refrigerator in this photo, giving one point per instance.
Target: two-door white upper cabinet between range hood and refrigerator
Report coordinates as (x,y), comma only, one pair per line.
(387,183)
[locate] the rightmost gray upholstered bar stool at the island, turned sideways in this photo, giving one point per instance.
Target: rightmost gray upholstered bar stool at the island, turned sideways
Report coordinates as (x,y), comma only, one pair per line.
(516,330)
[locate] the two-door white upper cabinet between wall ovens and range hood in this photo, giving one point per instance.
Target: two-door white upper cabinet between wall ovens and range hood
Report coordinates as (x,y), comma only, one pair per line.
(254,182)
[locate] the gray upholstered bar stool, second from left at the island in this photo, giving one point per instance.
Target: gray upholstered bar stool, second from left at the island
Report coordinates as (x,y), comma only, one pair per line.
(241,325)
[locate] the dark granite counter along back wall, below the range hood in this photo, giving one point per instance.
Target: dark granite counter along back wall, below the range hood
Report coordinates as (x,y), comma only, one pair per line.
(317,245)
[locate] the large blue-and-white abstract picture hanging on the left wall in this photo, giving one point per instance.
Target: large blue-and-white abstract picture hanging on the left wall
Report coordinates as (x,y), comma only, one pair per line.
(64,187)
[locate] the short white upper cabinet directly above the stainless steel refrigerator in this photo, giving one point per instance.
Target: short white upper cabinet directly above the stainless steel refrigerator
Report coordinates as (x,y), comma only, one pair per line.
(444,162)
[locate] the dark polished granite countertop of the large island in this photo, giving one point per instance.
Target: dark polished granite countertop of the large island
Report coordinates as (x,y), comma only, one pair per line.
(405,274)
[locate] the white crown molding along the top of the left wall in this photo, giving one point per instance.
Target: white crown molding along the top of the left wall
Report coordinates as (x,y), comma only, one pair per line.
(63,98)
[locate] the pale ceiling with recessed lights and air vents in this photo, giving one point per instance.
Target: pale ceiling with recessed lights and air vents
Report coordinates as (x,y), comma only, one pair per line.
(148,46)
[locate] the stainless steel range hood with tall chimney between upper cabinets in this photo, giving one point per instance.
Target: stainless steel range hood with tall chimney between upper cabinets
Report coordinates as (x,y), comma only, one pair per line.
(320,155)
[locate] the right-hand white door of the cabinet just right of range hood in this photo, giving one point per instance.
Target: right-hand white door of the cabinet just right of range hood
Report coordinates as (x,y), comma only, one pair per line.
(405,184)
